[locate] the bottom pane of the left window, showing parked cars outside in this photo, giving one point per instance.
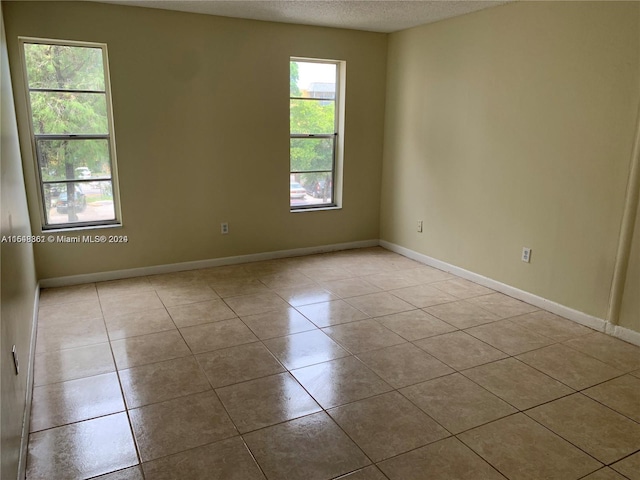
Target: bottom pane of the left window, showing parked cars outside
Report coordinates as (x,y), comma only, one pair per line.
(78,202)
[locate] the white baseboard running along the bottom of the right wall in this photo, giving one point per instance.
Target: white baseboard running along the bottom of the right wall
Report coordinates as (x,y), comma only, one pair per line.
(577,316)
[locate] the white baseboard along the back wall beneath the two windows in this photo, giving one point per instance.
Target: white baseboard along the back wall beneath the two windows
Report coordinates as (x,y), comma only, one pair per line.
(214,262)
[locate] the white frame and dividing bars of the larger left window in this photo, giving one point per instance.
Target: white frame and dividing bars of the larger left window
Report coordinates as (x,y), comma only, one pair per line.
(110,137)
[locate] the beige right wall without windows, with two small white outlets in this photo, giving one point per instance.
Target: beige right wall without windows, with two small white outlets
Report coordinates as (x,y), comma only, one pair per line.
(513,127)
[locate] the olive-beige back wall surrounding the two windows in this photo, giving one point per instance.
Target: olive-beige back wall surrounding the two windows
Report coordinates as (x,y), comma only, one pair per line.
(201,122)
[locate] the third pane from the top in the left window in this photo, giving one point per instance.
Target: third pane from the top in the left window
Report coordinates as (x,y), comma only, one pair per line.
(72,159)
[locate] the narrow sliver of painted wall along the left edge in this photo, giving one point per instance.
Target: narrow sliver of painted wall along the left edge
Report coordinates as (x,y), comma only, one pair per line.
(18,280)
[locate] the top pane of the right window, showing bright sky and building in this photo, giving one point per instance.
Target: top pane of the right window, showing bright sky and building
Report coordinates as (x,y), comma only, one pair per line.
(312,80)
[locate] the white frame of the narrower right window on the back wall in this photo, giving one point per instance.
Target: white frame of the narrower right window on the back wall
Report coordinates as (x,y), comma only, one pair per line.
(338,135)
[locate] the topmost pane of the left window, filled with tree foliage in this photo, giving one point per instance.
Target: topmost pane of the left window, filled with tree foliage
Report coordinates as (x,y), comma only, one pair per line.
(64,68)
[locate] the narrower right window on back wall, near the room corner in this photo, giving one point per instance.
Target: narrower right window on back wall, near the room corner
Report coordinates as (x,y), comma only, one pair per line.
(315,149)
